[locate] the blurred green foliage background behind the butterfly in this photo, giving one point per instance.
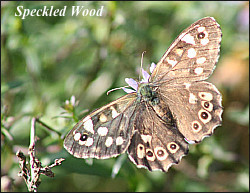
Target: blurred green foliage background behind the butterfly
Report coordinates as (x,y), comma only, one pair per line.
(46,60)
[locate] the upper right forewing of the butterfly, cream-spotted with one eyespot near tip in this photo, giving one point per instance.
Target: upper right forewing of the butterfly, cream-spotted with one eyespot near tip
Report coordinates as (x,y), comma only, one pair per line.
(192,56)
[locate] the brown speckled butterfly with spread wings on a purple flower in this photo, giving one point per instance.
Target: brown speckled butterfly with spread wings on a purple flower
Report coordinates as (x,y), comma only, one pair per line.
(165,112)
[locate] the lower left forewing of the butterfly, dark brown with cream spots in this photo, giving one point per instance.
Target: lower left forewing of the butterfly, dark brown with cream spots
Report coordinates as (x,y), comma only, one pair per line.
(104,133)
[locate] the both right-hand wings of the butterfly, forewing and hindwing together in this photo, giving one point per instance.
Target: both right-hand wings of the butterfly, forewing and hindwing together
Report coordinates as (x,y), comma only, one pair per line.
(195,104)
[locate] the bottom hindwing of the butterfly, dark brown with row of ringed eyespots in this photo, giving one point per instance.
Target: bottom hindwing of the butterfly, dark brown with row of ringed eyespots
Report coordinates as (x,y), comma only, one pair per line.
(156,143)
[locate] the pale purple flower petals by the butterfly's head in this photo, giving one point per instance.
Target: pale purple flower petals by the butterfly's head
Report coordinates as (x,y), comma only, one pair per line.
(133,84)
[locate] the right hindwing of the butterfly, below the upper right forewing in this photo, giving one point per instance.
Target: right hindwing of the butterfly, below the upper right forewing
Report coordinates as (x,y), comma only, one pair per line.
(196,106)
